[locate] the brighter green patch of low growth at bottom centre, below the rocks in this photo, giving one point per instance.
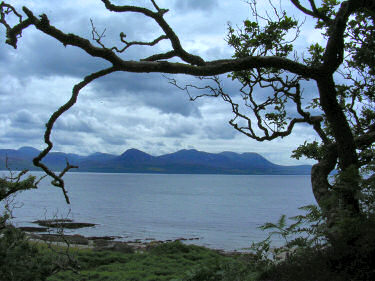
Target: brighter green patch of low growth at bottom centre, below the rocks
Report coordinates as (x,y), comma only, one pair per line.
(169,261)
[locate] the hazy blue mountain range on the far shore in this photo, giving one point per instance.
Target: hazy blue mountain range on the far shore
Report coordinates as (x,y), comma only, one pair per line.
(135,161)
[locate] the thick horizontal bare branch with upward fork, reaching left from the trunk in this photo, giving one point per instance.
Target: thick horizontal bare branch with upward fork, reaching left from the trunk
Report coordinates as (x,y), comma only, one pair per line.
(194,66)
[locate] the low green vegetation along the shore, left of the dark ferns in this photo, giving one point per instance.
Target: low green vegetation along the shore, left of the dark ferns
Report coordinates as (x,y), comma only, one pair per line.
(22,260)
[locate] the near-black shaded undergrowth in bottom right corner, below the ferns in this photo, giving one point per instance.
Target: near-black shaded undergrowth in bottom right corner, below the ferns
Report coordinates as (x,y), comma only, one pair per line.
(338,260)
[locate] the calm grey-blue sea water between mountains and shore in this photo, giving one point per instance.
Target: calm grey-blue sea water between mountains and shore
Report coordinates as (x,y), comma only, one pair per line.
(223,211)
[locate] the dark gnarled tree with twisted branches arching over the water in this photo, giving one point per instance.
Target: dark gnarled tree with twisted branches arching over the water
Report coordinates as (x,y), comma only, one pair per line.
(341,112)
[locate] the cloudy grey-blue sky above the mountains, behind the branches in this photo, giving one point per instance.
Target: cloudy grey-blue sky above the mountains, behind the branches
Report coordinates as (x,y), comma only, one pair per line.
(127,110)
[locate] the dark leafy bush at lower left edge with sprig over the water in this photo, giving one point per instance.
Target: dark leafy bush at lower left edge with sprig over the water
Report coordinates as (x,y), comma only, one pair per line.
(21,259)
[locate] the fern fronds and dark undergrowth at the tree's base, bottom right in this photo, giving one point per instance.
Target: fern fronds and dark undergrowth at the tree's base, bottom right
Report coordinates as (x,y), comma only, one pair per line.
(311,253)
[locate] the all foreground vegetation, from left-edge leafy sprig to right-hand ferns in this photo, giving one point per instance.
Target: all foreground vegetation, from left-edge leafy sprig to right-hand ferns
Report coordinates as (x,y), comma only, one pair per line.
(313,250)
